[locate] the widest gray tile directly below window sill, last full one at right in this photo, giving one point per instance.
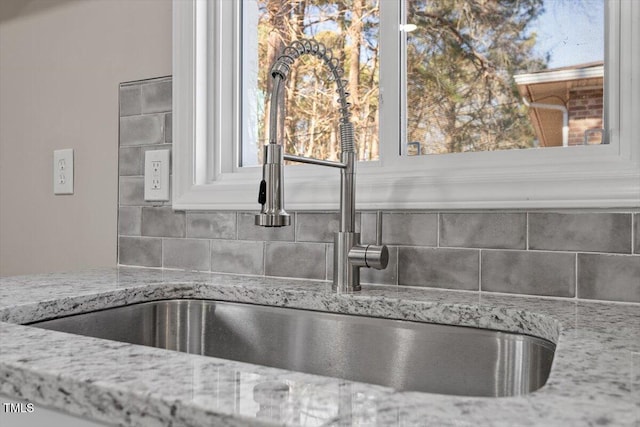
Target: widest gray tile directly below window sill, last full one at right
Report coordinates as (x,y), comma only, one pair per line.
(583,232)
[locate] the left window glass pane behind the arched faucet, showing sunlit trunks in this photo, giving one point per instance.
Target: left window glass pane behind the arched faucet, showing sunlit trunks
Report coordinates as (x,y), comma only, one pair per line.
(311,120)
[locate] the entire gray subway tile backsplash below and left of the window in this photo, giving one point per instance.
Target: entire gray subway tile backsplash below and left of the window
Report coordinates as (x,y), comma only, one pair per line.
(595,252)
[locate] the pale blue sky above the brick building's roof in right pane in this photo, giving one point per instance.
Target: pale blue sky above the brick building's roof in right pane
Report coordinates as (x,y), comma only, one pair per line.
(572,30)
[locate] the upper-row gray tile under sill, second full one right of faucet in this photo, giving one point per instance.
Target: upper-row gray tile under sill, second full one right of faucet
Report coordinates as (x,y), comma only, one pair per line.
(483,230)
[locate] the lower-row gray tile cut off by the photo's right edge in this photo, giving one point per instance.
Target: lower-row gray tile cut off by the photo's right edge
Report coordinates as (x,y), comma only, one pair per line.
(609,277)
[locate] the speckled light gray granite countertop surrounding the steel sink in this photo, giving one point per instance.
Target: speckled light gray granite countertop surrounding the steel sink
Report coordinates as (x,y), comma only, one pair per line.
(595,378)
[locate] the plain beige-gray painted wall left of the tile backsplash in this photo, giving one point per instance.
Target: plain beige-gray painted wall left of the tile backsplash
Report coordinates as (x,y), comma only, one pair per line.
(61,62)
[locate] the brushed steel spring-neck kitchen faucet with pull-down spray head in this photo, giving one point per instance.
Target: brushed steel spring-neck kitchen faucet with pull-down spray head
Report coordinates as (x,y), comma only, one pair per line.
(348,254)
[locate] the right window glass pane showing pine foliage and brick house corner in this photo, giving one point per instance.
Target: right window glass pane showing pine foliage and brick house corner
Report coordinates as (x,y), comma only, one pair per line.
(471,66)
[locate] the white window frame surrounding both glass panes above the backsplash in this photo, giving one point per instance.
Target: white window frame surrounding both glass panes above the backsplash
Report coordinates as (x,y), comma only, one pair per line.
(207,108)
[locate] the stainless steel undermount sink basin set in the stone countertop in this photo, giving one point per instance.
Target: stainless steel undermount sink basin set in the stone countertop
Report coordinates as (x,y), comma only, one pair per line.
(403,355)
